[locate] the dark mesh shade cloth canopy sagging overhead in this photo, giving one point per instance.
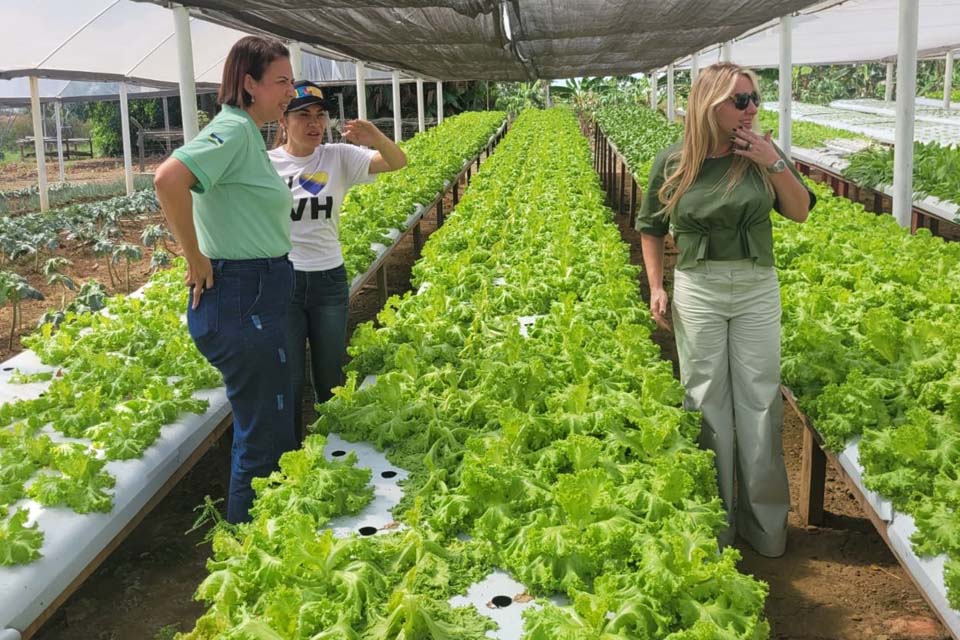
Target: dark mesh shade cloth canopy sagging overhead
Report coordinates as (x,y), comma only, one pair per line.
(496,40)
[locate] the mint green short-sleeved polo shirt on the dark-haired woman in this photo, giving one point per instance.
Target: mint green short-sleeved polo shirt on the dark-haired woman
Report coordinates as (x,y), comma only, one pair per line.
(242,207)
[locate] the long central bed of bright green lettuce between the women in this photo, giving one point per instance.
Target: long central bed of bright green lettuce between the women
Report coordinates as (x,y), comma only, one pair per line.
(561,456)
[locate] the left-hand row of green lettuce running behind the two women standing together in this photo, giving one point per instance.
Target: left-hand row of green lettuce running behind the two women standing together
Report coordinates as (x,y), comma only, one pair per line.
(121,375)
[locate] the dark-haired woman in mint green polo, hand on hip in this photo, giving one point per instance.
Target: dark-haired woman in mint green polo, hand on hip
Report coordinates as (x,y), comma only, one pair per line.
(230,212)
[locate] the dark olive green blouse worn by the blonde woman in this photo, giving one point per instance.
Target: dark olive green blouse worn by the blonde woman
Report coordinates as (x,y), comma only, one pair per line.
(710,223)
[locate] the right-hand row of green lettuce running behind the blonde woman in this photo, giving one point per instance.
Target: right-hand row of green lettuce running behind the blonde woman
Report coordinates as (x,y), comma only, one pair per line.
(871,350)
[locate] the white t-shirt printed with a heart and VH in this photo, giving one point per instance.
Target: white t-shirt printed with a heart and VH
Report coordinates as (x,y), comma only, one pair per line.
(319,183)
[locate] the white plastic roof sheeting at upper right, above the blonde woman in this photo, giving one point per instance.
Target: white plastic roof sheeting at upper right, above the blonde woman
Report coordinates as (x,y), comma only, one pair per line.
(854,31)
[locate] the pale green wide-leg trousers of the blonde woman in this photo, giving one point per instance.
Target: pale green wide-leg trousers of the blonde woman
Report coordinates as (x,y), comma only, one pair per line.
(727,322)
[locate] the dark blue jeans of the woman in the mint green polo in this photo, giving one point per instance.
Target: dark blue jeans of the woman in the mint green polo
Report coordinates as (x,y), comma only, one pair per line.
(240,327)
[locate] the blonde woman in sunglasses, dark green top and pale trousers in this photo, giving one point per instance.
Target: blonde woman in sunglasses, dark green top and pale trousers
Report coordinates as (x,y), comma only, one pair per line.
(714,191)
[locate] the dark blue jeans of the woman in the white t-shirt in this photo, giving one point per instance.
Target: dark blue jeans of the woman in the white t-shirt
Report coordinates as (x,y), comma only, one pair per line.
(318,314)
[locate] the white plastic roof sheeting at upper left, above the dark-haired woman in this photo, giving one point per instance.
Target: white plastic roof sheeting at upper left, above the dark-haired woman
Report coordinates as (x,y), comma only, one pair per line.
(120,40)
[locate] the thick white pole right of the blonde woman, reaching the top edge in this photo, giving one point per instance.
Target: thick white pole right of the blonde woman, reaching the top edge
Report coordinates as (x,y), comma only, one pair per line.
(906,107)
